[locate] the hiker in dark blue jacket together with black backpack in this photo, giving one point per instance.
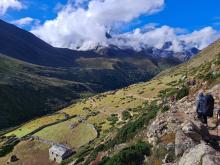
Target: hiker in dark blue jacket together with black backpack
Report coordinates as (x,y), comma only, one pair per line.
(205,107)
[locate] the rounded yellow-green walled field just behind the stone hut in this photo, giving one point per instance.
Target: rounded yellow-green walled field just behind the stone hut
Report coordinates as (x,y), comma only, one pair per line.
(71,132)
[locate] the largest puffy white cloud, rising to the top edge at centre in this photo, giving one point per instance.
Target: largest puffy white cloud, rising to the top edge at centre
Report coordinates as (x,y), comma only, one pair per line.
(74,27)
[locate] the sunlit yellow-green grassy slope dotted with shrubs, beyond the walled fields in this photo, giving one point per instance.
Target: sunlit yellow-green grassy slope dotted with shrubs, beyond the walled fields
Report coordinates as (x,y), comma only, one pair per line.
(134,95)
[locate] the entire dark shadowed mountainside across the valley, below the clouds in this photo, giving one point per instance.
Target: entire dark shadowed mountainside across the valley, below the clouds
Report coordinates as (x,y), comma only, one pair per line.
(36,78)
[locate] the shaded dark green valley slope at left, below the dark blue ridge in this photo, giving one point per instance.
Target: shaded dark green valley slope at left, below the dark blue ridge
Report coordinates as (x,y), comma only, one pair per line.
(26,93)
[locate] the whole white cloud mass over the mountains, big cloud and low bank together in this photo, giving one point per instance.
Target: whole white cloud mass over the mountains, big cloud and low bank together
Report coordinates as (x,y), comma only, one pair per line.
(83,24)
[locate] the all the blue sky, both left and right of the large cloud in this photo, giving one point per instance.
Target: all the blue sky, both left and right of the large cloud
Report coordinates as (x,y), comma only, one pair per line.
(188,14)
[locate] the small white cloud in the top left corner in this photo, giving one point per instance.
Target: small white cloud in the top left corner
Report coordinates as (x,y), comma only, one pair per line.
(6,4)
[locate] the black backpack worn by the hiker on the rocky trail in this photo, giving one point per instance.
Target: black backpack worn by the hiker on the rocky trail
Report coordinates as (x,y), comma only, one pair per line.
(209,105)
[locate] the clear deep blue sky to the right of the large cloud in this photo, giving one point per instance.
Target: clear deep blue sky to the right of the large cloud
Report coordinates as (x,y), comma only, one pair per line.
(188,14)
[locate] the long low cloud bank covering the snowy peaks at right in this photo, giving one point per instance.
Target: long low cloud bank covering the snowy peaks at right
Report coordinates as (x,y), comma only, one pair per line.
(158,37)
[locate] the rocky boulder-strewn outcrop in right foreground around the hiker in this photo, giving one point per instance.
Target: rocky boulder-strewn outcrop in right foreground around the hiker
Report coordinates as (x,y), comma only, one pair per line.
(194,143)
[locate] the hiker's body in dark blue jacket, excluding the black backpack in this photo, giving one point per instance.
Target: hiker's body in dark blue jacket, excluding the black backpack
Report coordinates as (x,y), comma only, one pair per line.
(201,108)
